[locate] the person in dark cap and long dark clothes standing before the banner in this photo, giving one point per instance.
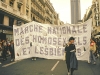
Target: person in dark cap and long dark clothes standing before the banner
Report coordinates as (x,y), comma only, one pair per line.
(71,60)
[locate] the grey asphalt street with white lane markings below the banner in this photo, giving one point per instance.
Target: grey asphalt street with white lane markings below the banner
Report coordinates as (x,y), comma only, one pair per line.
(46,67)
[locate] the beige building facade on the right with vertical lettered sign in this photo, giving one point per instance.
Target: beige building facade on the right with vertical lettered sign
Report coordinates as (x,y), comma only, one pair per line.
(94,13)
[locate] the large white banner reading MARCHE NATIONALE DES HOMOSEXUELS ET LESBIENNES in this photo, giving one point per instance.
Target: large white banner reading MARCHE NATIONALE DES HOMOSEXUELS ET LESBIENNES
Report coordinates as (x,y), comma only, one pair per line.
(46,41)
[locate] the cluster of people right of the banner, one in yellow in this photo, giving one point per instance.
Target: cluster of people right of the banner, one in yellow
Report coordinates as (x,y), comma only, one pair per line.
(94,50)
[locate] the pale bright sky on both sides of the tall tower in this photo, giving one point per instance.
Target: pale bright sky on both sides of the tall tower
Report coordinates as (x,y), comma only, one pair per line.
(62,7)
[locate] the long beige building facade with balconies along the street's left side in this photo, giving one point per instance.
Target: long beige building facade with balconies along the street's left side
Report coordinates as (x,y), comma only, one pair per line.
(18,12)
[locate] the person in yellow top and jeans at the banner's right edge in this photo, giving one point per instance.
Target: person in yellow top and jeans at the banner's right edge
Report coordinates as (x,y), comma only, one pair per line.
(92,51)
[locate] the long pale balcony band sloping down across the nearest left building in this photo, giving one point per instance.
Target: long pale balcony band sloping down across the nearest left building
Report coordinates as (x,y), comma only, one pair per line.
(6,8)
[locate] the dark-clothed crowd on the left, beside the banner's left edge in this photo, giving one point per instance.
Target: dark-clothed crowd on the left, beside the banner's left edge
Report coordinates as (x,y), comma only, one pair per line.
(6,48)
